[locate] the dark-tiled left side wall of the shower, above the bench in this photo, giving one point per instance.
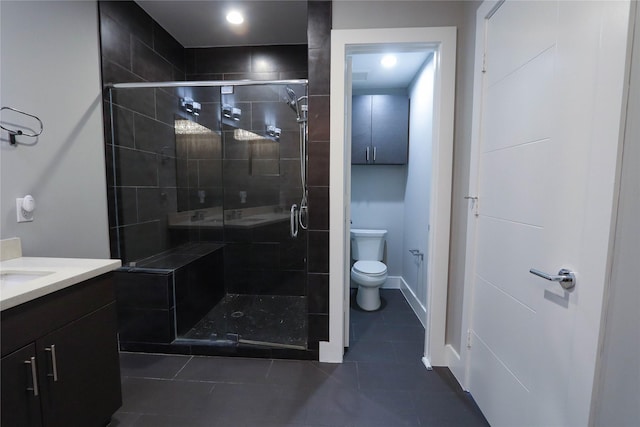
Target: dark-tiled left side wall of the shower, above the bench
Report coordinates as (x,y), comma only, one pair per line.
(142,153)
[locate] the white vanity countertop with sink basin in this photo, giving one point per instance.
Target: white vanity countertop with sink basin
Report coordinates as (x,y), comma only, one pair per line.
(49,275)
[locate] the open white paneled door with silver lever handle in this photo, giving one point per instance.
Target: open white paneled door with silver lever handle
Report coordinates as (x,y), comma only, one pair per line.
(548,140)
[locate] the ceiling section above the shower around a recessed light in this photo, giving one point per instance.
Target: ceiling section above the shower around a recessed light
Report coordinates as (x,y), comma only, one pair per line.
(203,23)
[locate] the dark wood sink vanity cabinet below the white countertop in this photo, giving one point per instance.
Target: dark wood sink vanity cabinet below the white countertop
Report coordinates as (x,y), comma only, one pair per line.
(60,364)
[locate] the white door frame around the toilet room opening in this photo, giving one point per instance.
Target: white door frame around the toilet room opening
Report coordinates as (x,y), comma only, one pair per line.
(443,40)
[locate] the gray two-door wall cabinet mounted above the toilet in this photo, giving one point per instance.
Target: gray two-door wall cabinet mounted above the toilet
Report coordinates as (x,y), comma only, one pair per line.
(379,129)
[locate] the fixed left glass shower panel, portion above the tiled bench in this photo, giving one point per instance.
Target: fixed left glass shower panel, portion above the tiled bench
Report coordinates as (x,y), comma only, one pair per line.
(165,169)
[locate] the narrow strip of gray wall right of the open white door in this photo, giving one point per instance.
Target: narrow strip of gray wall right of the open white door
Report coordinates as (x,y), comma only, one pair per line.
(619,370)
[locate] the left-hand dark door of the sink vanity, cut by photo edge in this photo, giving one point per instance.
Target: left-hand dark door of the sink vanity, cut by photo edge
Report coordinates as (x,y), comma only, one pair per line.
(20,405)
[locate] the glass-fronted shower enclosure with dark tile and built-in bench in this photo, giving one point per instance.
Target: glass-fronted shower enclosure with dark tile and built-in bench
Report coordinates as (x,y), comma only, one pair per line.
(208,209)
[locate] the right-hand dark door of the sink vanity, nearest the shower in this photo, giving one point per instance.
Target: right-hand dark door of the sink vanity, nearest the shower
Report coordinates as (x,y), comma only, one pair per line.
(80,371)
